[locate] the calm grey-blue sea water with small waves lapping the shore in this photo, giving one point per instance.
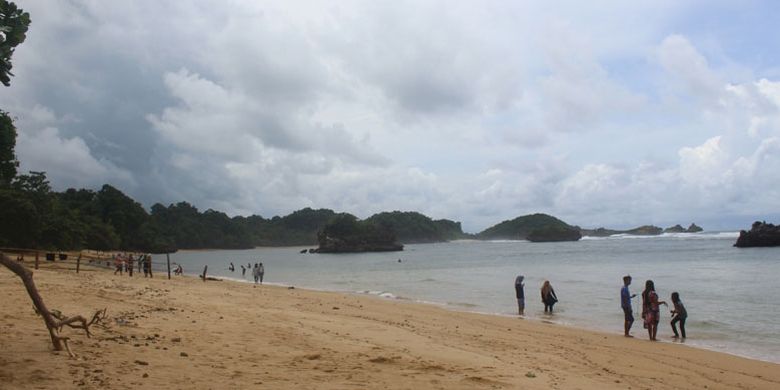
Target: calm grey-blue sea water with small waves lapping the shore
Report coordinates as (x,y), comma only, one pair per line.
(732,295)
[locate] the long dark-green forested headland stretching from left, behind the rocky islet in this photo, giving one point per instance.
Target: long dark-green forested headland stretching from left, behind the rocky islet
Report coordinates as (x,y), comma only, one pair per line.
(34,216)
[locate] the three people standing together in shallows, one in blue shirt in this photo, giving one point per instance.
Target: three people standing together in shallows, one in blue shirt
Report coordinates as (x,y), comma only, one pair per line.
(651,312)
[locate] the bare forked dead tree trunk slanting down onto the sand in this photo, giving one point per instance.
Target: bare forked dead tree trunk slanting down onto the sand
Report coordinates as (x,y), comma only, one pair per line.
(54,323)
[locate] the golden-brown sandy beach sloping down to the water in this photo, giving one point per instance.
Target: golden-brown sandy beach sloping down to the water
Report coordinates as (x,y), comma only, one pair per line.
(184,333)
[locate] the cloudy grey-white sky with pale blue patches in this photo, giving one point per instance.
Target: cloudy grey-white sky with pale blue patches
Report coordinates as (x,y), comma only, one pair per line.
(601,113)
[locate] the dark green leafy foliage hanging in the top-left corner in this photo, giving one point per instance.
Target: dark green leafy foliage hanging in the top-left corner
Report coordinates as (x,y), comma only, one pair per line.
(13,31)
